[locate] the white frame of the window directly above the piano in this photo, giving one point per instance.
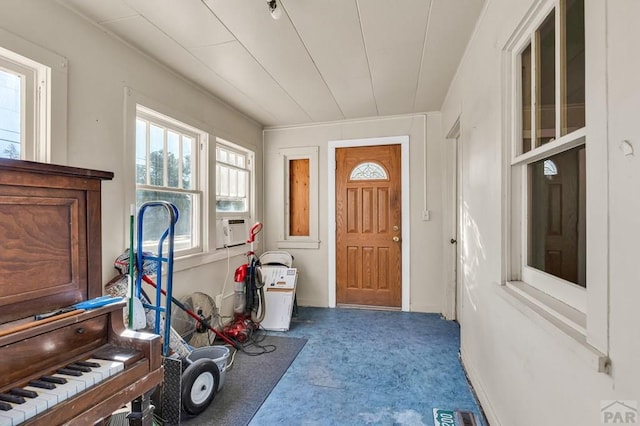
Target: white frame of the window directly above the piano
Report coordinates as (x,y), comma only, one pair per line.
(44,129)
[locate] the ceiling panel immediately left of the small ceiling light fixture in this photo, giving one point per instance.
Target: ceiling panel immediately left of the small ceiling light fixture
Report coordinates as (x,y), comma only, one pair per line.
(277,47)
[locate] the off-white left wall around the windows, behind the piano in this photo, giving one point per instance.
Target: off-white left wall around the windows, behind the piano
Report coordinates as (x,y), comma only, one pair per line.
(99,68)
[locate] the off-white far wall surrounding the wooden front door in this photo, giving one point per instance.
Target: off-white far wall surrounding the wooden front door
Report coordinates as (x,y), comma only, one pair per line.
(424,131)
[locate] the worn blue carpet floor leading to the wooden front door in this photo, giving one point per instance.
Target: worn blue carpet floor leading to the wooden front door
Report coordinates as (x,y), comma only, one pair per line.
(362,367)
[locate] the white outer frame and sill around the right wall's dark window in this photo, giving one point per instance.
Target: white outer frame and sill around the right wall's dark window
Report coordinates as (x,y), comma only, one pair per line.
(587,331)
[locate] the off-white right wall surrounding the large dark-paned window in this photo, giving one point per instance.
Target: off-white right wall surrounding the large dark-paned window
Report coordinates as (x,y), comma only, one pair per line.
(526,371)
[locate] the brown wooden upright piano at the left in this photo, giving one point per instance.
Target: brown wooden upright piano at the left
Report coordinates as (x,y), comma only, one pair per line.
(78,367)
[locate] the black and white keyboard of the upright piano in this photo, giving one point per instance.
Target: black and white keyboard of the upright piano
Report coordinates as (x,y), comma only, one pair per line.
(21,404)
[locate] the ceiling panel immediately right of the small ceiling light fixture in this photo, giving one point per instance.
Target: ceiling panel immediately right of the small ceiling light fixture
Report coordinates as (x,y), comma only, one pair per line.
(330,30)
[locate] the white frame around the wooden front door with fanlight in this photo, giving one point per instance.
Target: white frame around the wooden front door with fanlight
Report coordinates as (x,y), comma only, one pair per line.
(403,141)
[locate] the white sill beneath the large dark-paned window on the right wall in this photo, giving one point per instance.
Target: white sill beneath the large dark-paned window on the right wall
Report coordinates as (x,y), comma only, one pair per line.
(559,319)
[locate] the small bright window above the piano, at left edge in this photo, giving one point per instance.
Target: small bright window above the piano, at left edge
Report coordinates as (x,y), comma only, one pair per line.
(24,108)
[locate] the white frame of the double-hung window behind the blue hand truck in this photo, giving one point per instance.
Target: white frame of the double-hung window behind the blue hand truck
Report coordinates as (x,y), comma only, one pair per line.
(199,202)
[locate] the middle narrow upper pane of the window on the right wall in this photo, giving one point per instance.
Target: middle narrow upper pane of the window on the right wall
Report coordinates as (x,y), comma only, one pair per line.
(546,81)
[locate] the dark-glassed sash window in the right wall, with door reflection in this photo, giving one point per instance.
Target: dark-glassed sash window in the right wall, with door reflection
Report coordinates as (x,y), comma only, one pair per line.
(548,155)
